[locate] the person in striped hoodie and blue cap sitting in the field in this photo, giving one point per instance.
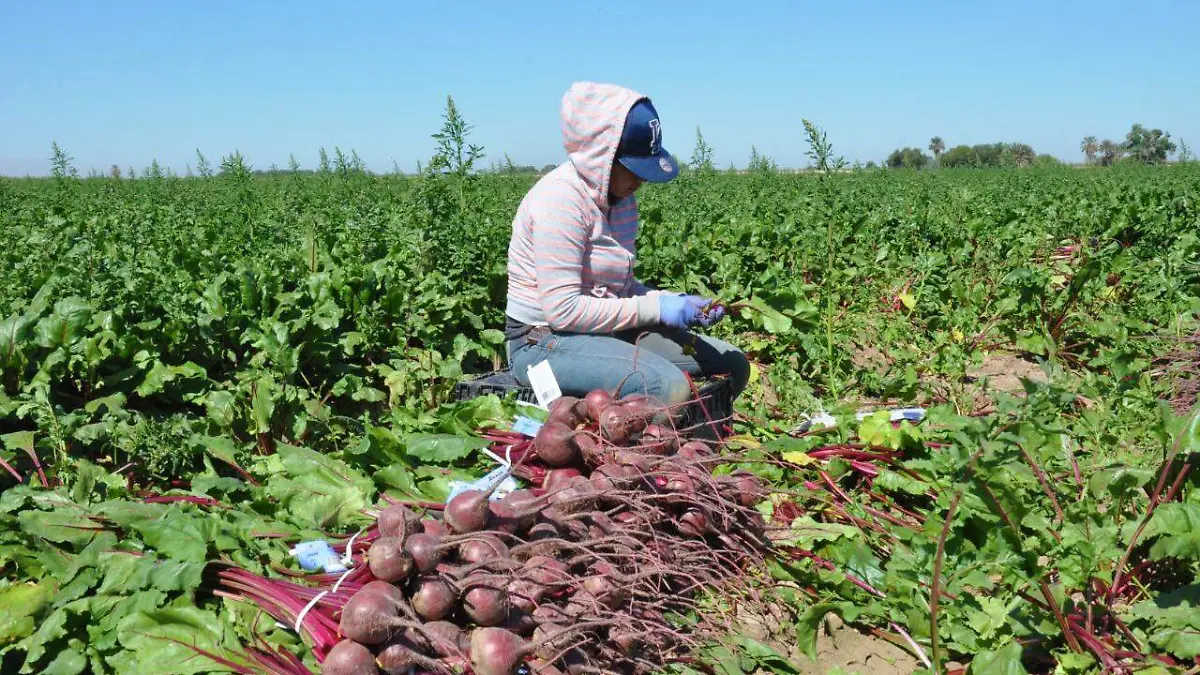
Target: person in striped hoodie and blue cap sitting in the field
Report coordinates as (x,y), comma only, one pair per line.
(573,300)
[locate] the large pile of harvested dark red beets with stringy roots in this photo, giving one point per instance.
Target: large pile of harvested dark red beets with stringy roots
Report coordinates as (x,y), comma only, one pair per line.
(621,558)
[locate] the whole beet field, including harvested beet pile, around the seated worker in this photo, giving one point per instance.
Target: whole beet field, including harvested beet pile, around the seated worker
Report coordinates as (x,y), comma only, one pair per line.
(231,438)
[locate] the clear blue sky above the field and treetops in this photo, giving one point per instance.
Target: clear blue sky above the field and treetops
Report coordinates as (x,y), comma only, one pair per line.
(128,82)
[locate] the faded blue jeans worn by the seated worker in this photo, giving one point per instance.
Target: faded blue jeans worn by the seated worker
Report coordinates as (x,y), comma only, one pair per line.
(647,362)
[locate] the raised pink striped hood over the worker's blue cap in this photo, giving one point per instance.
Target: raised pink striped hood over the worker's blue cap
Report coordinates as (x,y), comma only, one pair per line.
(593,117)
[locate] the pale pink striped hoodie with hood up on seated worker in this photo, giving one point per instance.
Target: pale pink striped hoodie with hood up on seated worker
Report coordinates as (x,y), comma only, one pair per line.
(572,256)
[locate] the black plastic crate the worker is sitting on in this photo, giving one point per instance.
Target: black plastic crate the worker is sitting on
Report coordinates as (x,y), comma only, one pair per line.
(716,396)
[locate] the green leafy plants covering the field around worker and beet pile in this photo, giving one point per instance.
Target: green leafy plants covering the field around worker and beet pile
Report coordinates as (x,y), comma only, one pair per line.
(289,345)
